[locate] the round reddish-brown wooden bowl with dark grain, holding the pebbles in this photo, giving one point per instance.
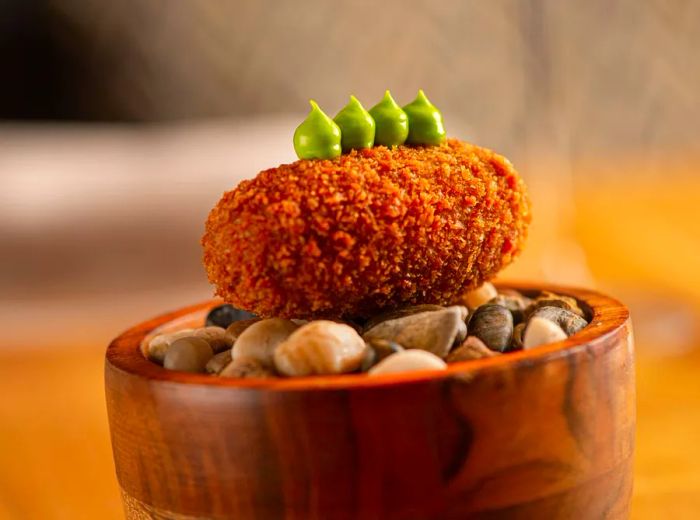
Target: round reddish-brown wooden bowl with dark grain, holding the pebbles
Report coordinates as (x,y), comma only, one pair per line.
(543,433)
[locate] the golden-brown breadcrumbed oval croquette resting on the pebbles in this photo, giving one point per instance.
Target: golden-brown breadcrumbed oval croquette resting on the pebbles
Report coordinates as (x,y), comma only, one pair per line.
(368,231)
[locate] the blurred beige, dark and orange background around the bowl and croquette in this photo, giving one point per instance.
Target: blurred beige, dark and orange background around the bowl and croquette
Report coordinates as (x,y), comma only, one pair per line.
(123,122)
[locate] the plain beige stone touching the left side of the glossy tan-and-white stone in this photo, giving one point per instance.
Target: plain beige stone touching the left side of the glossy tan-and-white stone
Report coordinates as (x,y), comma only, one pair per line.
(261,339)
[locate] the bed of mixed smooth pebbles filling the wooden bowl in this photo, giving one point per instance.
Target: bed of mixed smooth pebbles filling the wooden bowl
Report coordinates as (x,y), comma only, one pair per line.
(235,343)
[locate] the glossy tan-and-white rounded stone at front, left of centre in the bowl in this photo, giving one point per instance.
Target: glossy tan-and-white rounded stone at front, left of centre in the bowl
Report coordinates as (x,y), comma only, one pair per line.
(320,347)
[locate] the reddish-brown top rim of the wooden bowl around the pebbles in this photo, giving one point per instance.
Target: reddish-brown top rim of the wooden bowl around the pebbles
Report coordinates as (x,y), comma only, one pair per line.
(608,316)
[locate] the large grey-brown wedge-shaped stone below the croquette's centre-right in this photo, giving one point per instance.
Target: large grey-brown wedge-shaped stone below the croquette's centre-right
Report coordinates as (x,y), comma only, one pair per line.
(433,331)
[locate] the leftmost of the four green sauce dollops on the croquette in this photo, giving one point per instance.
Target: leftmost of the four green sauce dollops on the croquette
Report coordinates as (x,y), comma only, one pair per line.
(317,137)
